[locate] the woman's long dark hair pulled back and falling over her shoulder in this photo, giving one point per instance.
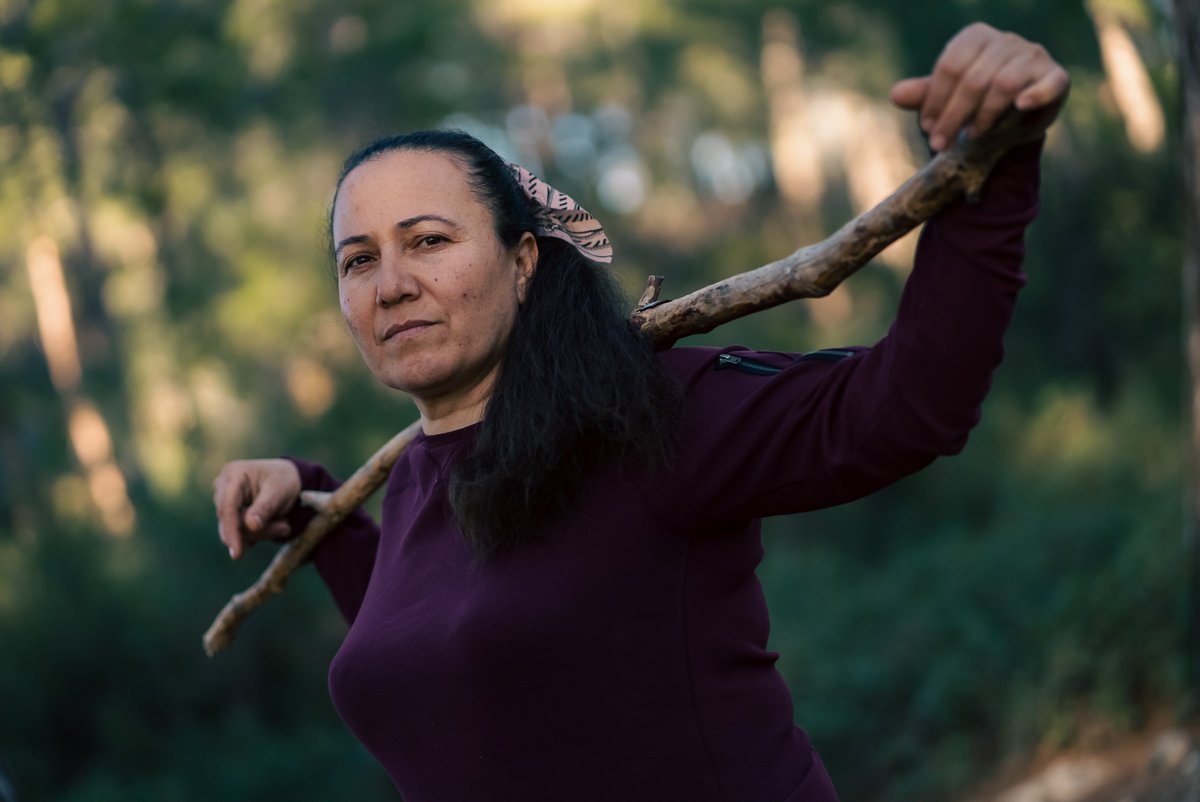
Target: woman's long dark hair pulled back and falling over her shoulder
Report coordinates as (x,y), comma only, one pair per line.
(579,386)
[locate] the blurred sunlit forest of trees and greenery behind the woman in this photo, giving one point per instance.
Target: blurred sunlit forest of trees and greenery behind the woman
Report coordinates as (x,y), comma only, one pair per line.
(167,304)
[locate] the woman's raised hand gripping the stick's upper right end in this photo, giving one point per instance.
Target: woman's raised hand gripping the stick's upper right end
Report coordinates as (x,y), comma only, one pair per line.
(981,73)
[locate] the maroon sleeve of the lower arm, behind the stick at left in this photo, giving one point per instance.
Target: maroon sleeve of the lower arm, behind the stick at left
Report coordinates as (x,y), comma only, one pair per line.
(346,556)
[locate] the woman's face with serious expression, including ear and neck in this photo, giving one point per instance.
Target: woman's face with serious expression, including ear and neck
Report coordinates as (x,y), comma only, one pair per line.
(428,290)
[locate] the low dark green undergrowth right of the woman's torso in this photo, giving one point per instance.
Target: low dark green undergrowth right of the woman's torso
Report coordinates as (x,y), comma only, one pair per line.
(926,642)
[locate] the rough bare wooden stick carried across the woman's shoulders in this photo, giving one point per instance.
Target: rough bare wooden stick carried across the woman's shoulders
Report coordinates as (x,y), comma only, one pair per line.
(812,272)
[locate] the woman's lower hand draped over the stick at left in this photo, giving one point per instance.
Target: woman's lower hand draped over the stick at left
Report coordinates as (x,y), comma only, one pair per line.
(253,499)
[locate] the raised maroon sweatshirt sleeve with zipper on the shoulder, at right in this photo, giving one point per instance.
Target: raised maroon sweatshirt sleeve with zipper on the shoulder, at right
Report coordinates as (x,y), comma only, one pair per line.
(772,434)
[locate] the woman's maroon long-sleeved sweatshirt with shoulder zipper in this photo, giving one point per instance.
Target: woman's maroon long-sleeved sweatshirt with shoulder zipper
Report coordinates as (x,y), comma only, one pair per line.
(626,656)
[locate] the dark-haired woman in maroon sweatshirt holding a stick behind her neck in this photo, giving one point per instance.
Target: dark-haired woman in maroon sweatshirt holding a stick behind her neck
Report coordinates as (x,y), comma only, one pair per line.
(562,603)
